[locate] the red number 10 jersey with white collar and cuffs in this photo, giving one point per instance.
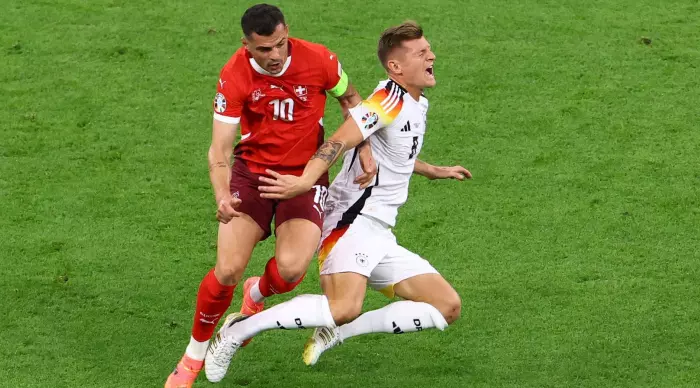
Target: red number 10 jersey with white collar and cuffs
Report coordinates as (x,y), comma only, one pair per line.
(280,115)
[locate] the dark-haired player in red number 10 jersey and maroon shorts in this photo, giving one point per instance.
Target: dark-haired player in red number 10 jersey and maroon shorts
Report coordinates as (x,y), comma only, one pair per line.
(274,89)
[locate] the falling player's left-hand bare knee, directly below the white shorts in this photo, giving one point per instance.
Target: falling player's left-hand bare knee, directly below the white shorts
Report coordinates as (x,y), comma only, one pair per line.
(346,294)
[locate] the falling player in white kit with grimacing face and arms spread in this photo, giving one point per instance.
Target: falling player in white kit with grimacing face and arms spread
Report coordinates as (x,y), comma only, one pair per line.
(358,247)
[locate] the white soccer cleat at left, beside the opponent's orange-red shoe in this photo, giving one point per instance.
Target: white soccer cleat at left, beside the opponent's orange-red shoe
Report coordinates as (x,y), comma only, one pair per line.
(221,350)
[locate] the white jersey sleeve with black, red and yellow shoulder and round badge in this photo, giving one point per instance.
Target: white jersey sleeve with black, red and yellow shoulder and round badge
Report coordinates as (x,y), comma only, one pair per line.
(378,111)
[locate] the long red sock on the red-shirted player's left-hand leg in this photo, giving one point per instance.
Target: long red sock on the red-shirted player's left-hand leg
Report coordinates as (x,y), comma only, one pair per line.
(213,299)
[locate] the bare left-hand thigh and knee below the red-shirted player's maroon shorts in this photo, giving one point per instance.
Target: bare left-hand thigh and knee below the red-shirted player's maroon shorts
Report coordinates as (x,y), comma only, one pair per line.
(235,244)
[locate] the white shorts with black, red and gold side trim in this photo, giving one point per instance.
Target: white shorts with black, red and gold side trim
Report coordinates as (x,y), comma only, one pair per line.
(368,247)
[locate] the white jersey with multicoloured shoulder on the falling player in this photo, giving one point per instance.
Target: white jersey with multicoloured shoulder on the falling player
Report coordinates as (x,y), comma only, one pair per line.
(395,124)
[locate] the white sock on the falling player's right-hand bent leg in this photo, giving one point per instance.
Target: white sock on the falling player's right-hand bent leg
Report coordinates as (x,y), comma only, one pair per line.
(398,317)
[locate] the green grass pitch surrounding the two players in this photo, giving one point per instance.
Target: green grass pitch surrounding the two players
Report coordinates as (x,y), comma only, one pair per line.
(575,247)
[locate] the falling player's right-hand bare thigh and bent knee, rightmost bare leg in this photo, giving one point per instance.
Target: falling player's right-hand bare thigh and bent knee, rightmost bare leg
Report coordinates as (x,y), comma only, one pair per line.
(433,289)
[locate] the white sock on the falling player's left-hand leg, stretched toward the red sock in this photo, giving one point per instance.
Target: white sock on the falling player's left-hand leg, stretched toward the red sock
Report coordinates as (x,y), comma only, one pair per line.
(301,312)
